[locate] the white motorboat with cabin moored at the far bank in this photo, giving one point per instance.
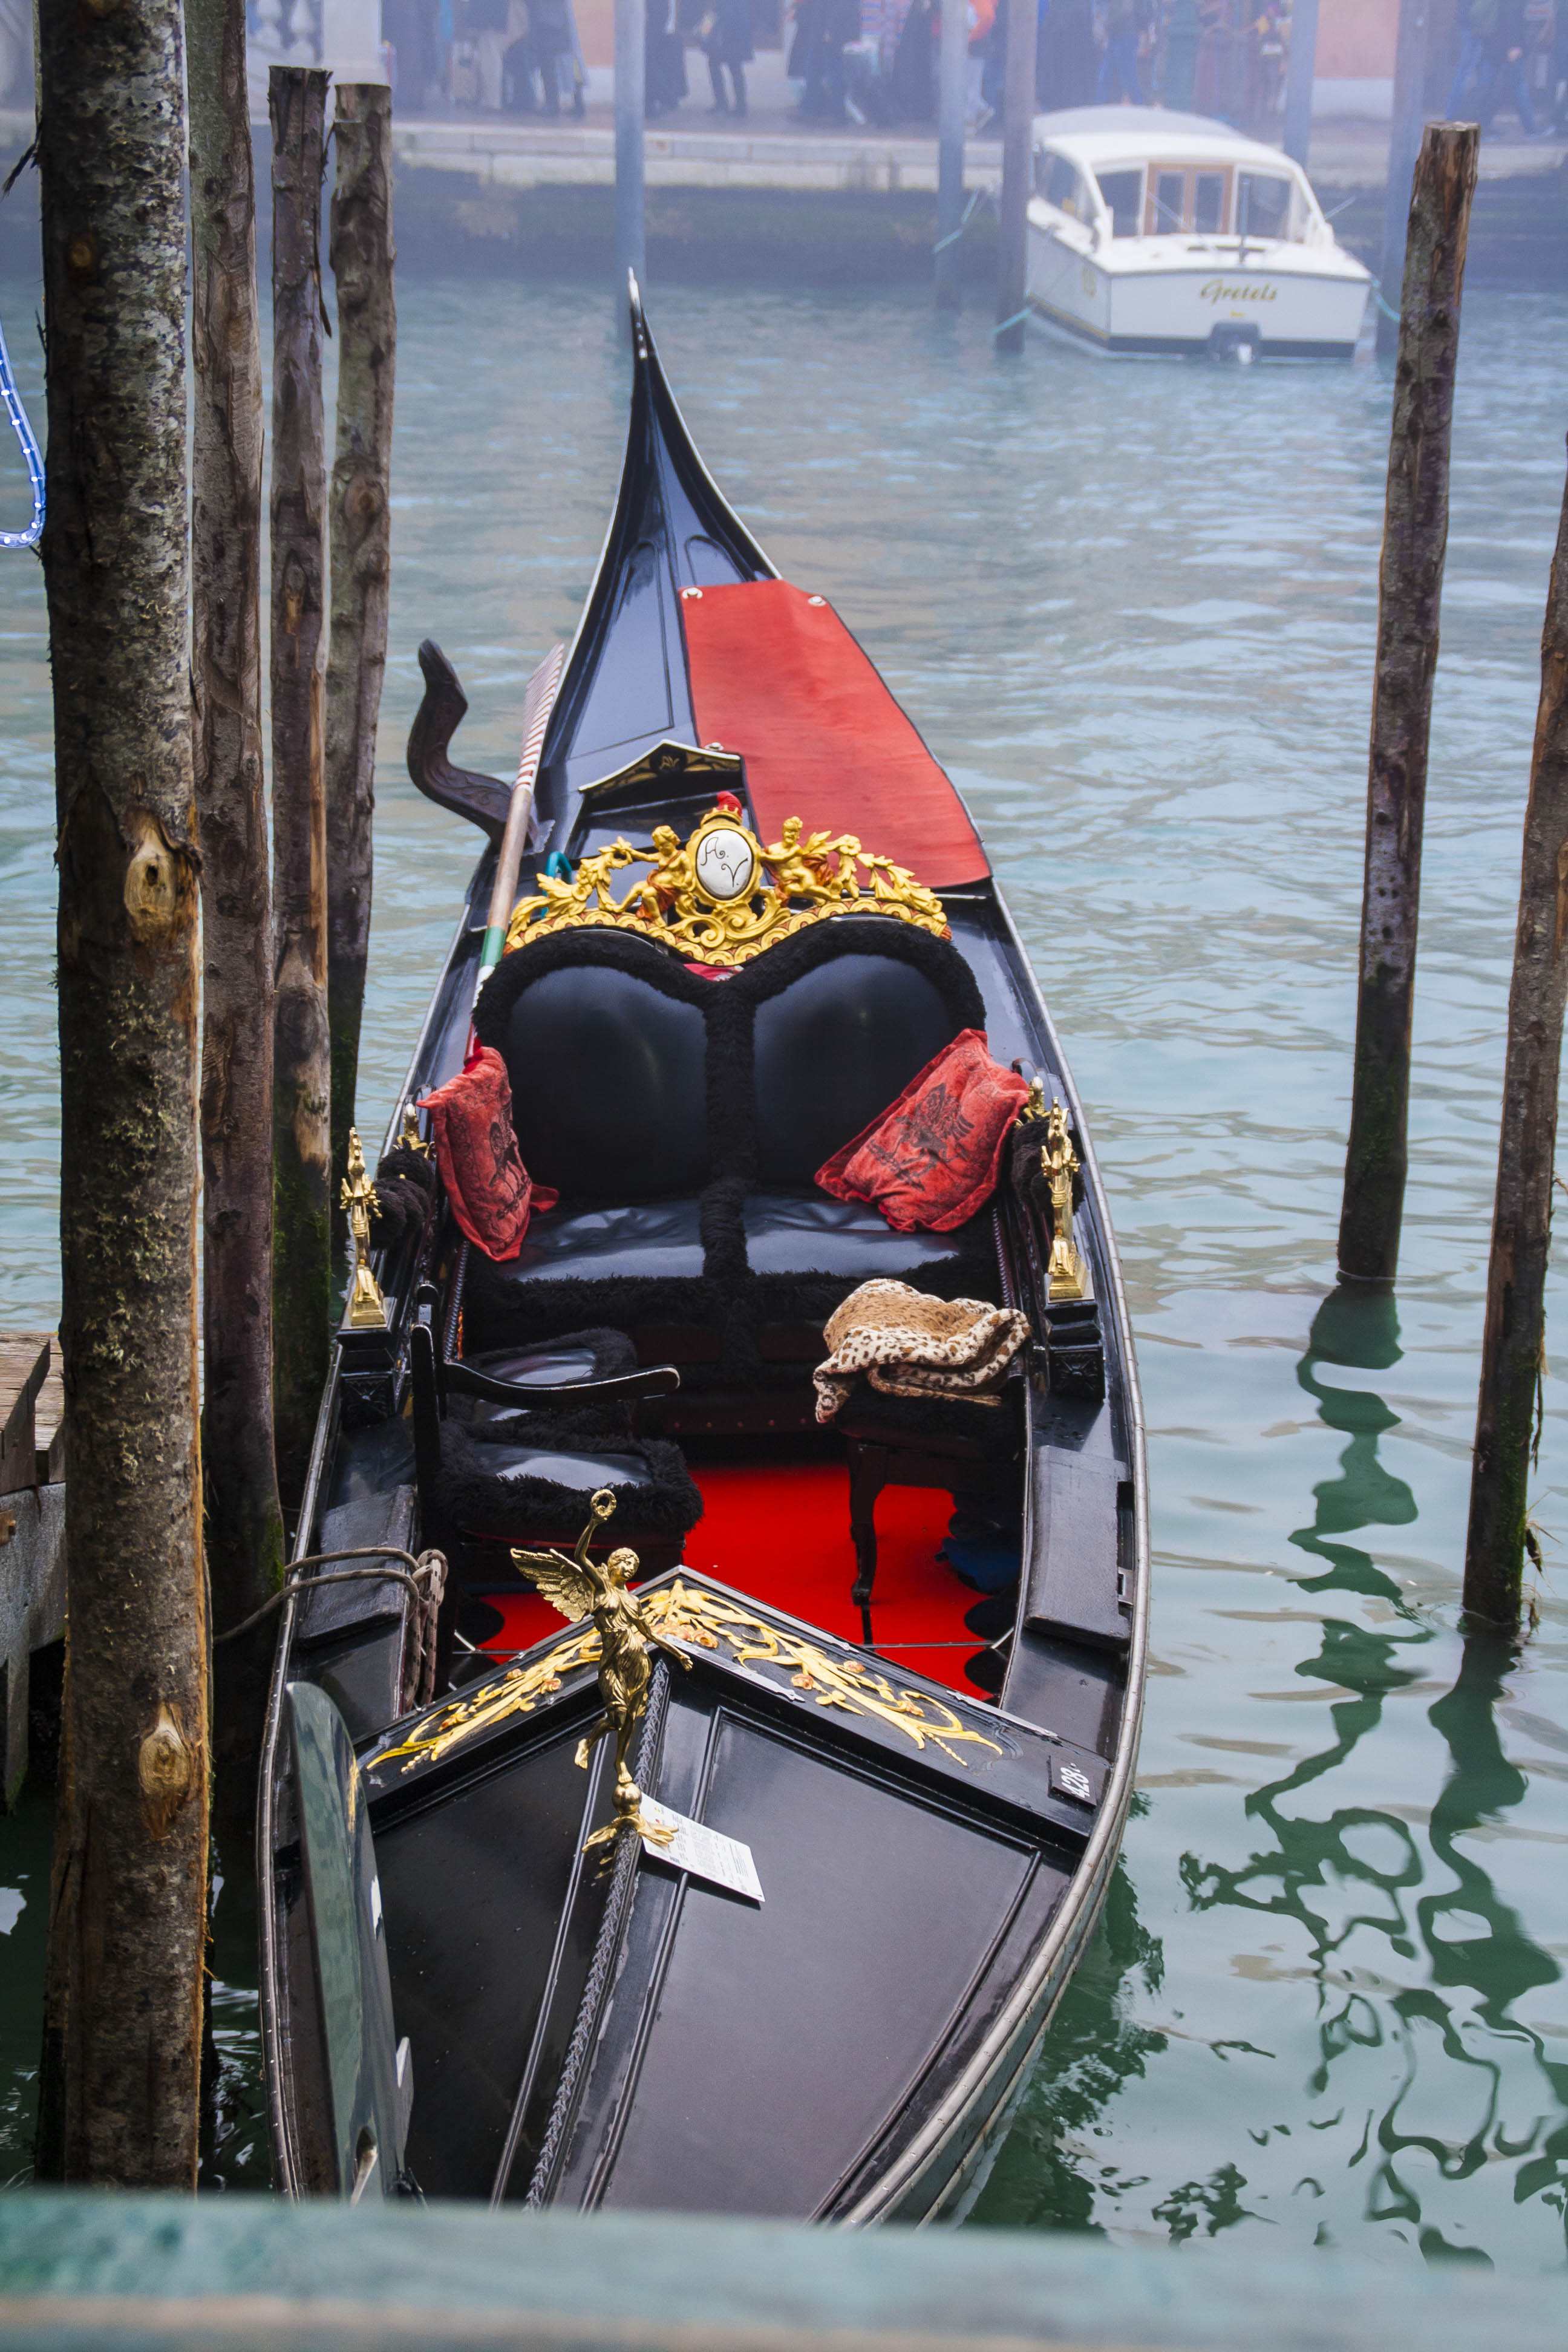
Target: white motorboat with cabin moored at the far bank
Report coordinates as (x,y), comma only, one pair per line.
(1172,234)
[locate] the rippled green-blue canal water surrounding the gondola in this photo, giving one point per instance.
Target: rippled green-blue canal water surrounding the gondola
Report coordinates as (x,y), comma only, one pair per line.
(1132,610)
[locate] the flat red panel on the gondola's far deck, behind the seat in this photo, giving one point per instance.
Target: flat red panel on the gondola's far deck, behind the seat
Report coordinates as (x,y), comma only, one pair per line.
(779,679)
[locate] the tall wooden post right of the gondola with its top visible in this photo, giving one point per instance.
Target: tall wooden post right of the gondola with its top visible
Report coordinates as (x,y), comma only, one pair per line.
(1409,599)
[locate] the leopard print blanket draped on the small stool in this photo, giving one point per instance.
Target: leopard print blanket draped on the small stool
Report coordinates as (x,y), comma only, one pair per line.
(916,1347)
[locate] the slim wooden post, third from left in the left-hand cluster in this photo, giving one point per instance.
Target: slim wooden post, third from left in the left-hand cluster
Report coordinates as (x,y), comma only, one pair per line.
(302,1045)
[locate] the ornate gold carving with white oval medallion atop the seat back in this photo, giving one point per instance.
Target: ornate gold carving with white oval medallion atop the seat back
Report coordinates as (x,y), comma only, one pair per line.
(723,897)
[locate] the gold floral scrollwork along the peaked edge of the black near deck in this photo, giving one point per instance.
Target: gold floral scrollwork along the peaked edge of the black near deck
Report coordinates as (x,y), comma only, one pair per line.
(683,1612)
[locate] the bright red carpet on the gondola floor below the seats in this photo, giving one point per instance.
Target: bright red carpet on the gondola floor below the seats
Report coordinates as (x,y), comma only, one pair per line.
(782,1535)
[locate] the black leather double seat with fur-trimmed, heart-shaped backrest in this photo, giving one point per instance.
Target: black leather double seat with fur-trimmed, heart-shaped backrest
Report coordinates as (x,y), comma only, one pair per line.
(685,1118)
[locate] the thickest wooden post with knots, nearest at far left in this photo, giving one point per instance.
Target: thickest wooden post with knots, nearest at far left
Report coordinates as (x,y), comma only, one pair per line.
(123,2000)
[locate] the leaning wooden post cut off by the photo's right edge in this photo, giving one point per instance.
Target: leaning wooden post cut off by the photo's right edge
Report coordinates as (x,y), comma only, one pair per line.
(1513,1351)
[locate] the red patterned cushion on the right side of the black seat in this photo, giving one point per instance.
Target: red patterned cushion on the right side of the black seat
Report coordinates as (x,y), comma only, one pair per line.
(932,1158)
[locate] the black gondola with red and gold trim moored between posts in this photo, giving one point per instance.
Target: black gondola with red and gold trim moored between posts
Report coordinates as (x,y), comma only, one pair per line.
(481,1979)
